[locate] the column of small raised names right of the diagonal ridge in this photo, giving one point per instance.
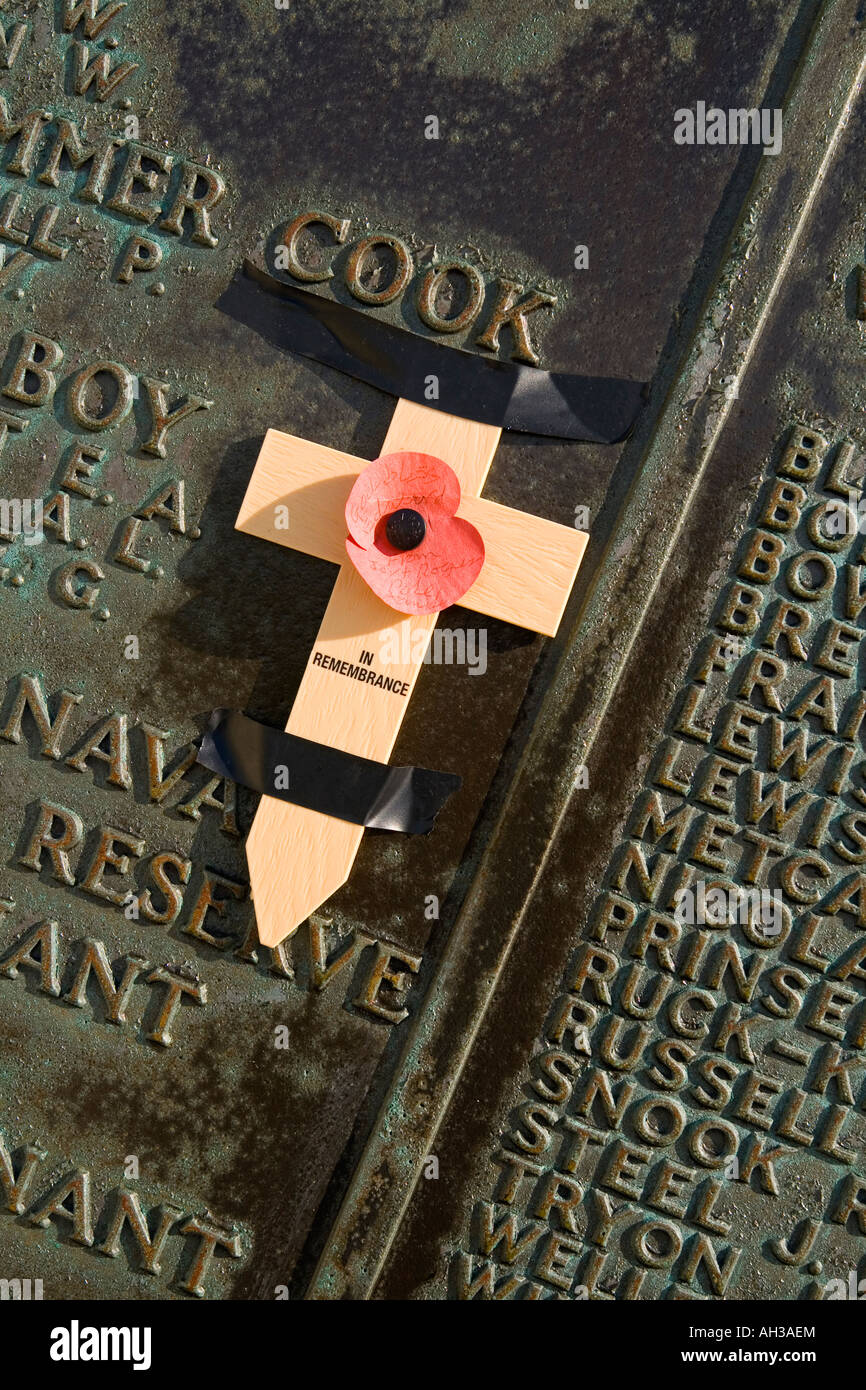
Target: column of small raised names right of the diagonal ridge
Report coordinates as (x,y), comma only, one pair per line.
(701,1046)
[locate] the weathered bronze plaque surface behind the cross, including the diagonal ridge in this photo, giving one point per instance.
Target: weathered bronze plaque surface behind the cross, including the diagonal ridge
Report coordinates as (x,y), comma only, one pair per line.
(326,109)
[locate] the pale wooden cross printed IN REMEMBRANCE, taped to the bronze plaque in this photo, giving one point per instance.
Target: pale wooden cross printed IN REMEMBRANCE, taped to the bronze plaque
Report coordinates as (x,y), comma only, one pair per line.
(298,857)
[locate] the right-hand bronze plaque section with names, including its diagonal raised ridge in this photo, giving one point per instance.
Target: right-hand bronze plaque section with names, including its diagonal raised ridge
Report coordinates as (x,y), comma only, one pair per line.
(782,330)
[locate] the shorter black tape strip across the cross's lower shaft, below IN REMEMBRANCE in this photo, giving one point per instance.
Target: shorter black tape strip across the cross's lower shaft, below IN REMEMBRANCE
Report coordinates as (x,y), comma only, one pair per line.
(325,779)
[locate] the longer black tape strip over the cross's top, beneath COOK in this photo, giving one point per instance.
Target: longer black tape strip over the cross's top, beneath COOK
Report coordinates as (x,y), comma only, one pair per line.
(600,409)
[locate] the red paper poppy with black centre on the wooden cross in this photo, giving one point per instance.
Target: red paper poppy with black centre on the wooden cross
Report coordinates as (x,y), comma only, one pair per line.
(405,539)
